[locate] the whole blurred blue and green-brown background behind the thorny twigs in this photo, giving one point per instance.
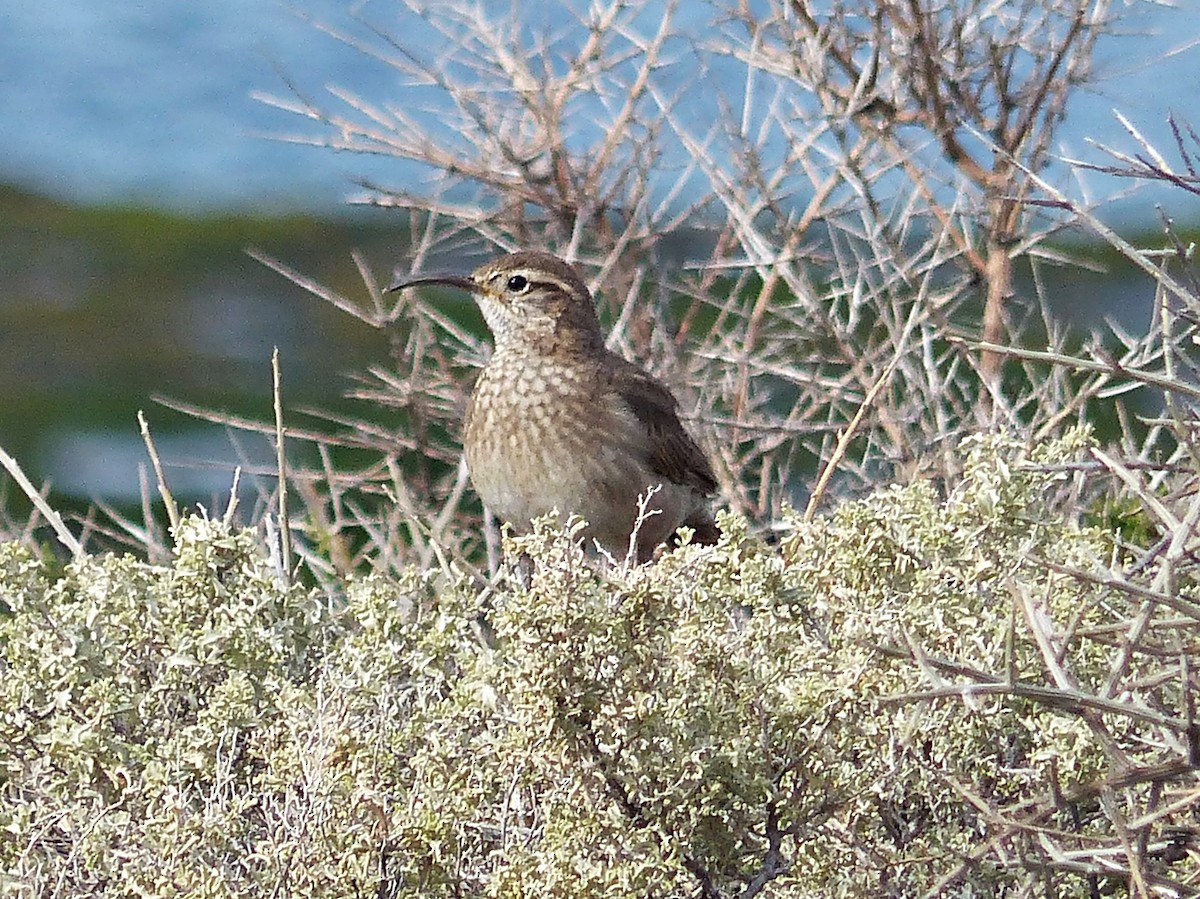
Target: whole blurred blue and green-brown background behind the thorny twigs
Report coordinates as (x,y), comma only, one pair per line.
(136,173)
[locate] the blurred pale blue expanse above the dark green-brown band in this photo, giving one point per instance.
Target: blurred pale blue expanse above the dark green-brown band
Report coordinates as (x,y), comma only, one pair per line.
(122,101)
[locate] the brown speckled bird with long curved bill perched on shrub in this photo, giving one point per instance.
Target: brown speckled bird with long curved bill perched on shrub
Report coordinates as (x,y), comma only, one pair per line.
(557,423)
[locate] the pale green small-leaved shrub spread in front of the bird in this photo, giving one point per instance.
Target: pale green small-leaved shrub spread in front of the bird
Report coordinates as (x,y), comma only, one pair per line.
(787,722)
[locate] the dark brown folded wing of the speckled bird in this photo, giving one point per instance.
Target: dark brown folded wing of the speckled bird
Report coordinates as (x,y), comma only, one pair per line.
(671,451)
